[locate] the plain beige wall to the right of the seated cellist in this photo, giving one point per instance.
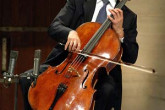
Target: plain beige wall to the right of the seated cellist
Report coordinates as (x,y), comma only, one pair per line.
(142,91)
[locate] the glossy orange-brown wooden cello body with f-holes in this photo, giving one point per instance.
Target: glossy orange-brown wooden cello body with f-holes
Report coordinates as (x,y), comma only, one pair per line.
(70,85)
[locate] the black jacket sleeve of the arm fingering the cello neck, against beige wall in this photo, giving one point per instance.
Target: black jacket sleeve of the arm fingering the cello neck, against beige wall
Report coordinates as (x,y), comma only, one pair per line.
(129,45)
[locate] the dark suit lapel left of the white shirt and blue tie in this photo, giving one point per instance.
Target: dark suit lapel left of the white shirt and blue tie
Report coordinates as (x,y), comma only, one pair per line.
(89,7)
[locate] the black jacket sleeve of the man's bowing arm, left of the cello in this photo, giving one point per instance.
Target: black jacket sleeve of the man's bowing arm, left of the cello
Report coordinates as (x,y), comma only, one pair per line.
(59,28)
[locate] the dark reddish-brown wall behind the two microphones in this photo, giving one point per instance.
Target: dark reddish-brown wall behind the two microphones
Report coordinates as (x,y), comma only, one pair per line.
(25,13)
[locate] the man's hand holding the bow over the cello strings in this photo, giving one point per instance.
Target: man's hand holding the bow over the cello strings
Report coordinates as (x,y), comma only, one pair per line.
(73,43)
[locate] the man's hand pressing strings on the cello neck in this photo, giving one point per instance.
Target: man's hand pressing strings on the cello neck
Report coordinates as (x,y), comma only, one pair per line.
(117,21)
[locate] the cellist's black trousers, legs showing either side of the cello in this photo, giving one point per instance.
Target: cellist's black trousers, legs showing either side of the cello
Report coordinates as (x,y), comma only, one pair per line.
(104,97)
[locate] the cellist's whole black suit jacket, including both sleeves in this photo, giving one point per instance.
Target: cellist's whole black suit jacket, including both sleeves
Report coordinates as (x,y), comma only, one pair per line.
(77,12)
